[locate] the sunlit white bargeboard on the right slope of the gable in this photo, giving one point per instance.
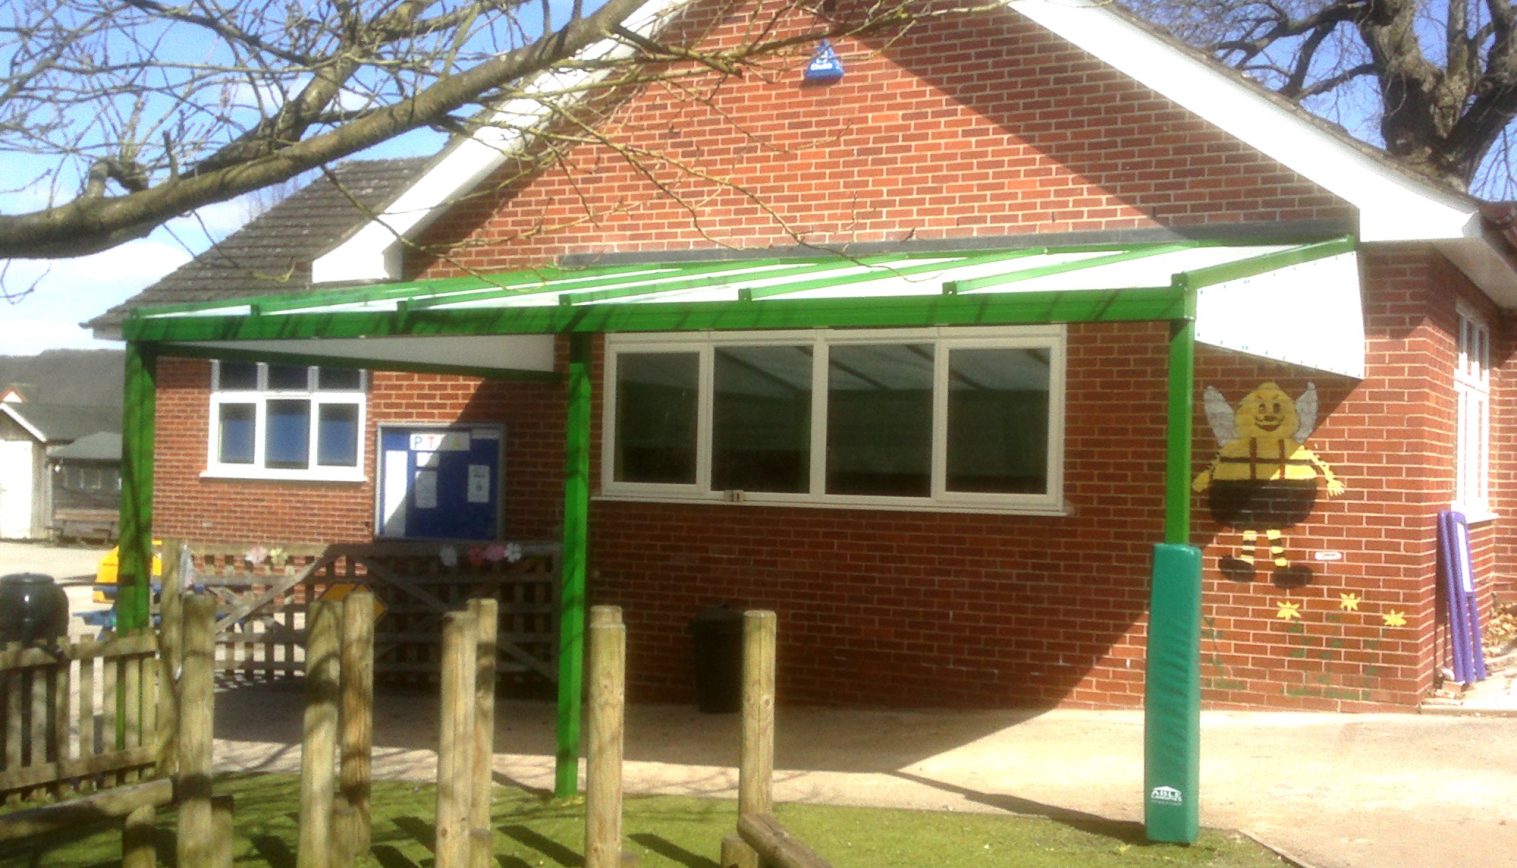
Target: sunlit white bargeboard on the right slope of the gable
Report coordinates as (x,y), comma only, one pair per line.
(1392,206)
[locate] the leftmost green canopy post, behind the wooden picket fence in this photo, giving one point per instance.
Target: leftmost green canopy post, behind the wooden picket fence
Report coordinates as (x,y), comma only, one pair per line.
(140,403)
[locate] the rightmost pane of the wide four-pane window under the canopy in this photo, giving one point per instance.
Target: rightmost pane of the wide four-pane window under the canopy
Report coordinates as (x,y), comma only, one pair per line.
(999,421)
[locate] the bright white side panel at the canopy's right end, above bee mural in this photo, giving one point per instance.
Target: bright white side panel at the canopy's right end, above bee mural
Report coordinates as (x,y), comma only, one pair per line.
(1305,315)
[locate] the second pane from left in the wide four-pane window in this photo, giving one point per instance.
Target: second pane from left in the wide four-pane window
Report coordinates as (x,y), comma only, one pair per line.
(762,420)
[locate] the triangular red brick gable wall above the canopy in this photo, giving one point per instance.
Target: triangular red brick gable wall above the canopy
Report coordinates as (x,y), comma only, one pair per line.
(985,127)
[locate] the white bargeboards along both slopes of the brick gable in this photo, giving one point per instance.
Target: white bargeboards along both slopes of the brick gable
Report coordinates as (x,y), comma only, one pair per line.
(1393,204)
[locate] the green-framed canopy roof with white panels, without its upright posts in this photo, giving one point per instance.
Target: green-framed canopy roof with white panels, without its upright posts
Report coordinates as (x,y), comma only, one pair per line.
(500,322)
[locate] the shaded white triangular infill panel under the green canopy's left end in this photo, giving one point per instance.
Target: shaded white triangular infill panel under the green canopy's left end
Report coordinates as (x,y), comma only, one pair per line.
(532,353)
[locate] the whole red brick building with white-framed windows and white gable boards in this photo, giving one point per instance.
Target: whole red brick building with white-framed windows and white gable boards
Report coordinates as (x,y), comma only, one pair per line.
(923,547)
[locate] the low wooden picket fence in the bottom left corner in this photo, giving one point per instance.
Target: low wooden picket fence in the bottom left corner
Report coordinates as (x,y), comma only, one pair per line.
(206,822)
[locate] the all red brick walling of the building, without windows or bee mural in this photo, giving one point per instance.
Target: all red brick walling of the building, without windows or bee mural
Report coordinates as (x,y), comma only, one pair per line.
(975,130)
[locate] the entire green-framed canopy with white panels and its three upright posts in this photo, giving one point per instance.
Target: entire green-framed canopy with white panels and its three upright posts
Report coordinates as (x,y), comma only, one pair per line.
(504,319)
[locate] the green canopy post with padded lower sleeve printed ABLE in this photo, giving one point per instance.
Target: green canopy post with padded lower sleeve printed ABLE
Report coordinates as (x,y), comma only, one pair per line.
(1173,684)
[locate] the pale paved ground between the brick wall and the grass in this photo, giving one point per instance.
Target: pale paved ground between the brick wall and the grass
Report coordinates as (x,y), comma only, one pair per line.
(1321,788)
